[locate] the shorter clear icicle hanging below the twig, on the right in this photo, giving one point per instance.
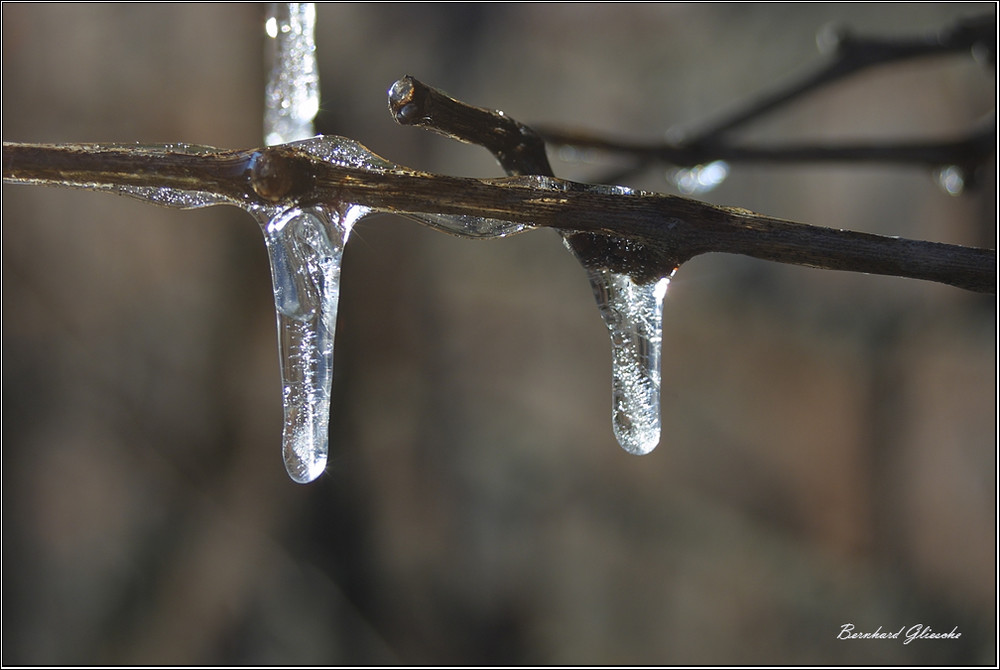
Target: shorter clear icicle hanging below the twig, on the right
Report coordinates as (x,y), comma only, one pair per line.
(633,313)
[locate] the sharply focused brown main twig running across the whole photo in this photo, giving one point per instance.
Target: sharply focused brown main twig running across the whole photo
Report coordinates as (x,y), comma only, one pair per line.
(672,228)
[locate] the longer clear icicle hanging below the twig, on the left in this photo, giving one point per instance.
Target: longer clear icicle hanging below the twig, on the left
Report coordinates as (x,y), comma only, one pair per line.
(306,247)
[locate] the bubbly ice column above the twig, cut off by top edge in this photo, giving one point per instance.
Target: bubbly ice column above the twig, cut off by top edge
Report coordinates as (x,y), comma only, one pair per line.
(292,94)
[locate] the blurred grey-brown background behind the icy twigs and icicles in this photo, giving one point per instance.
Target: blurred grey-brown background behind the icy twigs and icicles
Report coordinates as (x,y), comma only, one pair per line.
(828,451)
